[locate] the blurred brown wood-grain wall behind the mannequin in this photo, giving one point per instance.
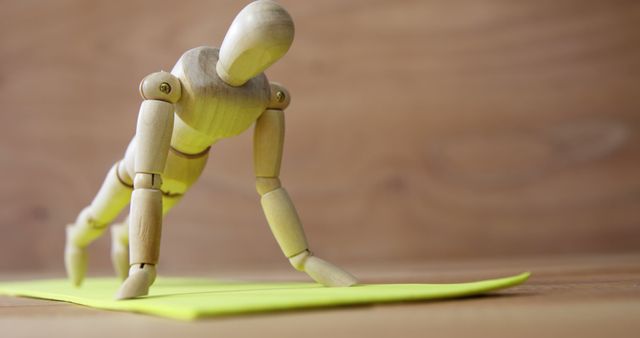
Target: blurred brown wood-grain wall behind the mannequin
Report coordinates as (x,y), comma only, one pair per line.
(419,130)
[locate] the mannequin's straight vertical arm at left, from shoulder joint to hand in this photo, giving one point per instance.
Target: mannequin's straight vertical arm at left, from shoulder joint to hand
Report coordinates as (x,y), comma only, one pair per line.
(153,136)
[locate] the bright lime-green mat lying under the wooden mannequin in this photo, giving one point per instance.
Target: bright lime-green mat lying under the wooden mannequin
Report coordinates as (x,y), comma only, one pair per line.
(193,298)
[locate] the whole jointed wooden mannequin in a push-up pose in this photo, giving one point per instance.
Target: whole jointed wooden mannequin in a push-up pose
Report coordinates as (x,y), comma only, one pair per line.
(210,94)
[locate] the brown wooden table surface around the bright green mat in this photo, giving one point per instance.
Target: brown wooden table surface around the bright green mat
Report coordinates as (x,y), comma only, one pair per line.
(585,296)
